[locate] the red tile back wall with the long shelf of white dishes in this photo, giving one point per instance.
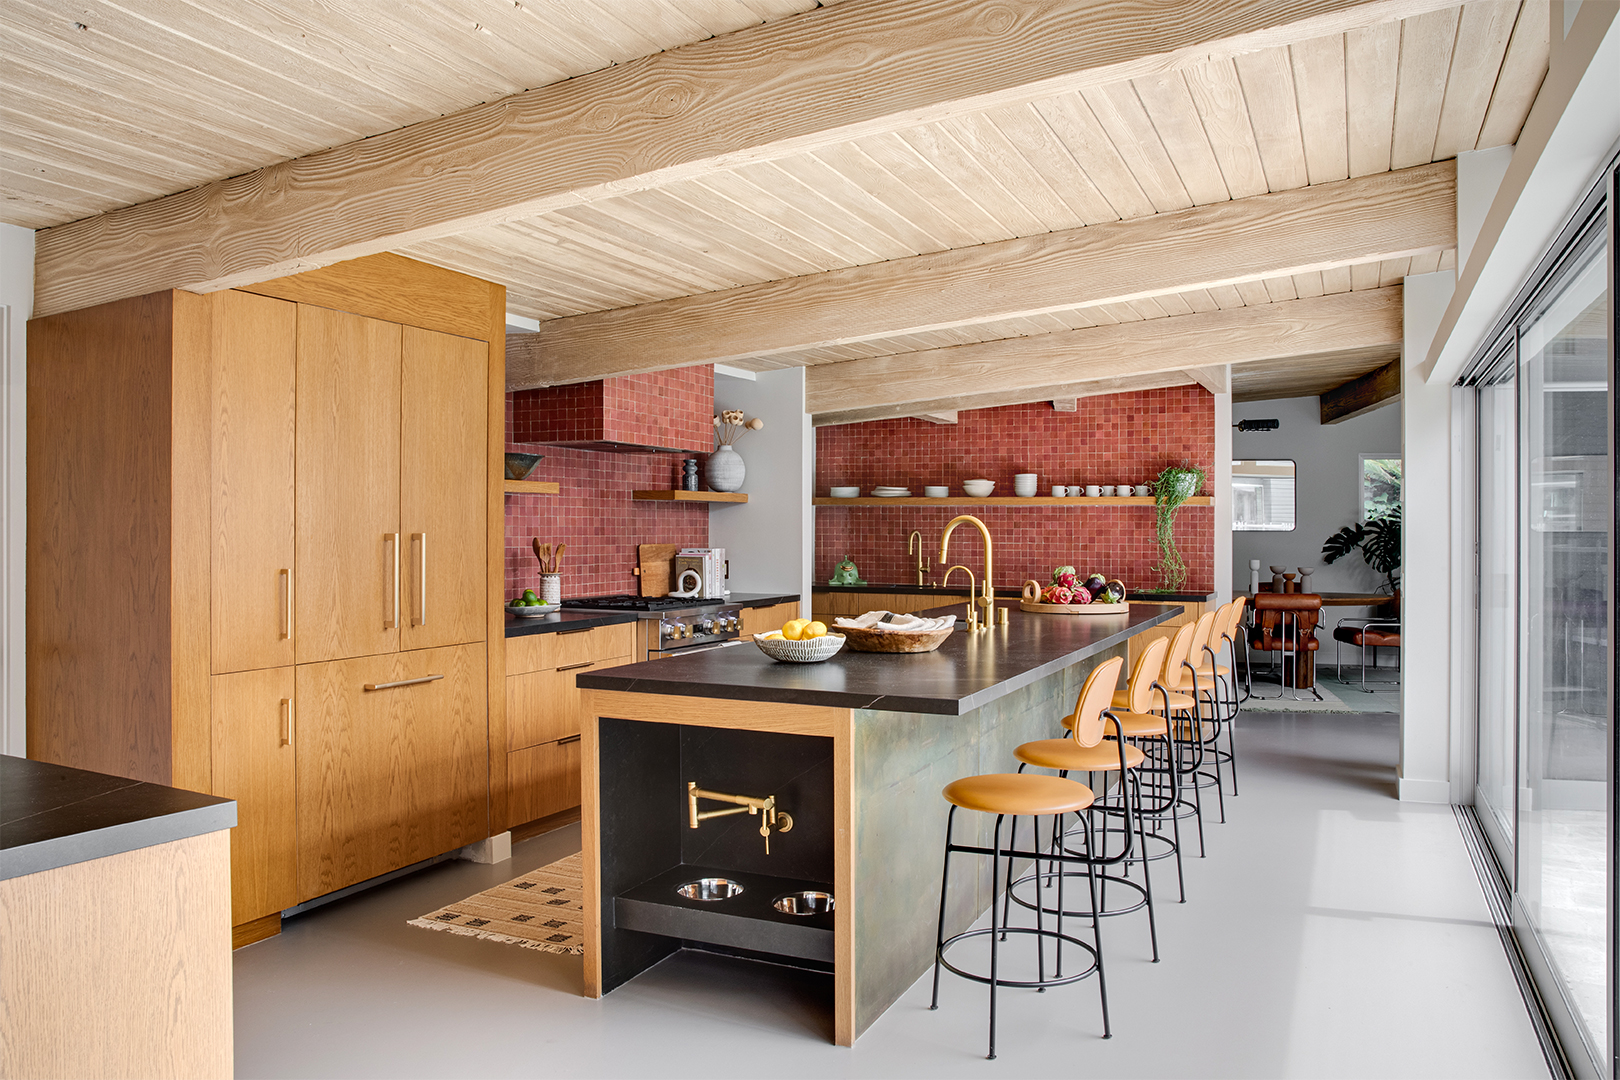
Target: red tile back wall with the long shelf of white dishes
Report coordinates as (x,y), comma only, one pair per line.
(1125,438)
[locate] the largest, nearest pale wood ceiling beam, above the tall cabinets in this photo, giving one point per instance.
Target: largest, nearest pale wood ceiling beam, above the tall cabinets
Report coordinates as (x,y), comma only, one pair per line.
(756,95)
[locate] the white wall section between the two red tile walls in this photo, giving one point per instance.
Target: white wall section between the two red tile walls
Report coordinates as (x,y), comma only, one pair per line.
(770,540)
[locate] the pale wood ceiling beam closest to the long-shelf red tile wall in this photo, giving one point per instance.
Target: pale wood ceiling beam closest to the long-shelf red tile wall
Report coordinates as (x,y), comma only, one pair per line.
(1294,328)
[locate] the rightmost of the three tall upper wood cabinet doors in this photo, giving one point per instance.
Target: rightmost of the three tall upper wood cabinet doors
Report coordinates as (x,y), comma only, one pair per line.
(445,459)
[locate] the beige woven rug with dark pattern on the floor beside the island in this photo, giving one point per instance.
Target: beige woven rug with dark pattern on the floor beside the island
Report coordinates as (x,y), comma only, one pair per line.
(544,909)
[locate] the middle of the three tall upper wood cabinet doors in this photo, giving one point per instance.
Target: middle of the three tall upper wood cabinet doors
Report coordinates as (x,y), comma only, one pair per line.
(351,556)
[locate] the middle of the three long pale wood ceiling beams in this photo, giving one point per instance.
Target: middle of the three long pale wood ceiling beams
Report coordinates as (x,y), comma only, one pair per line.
(1386,216)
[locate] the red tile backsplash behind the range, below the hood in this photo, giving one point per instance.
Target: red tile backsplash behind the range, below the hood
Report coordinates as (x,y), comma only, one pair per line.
(595,516)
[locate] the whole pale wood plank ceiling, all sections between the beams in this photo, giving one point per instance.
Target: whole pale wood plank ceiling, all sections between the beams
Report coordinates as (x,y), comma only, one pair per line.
(93,122)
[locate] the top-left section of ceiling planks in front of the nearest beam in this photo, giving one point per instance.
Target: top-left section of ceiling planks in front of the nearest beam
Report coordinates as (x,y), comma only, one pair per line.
(113,104)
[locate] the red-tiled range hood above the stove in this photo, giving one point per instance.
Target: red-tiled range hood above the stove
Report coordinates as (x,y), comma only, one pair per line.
(667,412)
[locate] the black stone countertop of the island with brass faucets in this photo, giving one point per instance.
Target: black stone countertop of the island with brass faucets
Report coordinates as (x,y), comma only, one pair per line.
(961,676)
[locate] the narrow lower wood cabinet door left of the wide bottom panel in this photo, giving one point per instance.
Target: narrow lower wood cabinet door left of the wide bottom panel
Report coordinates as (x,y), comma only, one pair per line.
(255,763)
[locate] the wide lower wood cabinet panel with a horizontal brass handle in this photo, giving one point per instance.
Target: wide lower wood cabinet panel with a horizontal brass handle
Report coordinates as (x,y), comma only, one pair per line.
(393,775)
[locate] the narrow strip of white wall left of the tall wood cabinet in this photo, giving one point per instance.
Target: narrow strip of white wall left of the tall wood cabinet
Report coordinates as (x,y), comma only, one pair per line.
(17,307)
